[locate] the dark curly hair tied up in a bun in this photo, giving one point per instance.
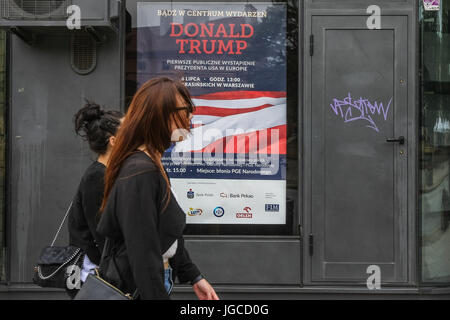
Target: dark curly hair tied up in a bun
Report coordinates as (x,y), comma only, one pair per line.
(96,125)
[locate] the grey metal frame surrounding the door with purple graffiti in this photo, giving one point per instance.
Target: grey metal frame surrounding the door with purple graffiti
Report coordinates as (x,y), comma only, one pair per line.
(406,8)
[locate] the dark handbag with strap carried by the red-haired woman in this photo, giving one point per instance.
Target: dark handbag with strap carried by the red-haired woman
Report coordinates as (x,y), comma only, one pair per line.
(97,288)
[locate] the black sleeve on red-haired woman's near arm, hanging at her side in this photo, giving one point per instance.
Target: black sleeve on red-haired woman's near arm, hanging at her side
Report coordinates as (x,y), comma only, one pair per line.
(135,208)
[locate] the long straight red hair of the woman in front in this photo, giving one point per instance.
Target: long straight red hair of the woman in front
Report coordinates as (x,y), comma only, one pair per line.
(148,123)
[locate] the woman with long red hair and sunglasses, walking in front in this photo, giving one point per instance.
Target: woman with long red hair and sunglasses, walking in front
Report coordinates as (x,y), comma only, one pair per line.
(140,216)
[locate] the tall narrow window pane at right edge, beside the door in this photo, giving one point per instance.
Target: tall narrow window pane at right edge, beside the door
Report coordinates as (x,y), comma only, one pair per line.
(435,143)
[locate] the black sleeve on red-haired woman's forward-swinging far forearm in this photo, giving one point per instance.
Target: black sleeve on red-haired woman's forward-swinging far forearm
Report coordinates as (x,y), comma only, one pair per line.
(185,270)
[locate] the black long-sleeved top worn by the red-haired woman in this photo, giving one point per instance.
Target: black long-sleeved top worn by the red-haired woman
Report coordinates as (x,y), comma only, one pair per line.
(141,231)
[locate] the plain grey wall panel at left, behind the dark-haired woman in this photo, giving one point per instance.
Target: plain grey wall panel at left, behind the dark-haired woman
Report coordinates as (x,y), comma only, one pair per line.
(47,159)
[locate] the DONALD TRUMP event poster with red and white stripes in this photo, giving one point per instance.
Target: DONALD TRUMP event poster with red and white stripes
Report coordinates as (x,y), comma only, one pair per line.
(231,169)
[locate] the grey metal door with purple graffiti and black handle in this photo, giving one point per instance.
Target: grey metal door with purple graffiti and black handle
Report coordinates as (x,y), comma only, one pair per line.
(358,149)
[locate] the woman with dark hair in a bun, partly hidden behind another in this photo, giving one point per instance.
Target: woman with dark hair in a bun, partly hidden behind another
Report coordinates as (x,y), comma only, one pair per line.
(98,128)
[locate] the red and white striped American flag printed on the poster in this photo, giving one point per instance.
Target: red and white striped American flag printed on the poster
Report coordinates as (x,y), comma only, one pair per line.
(238,122)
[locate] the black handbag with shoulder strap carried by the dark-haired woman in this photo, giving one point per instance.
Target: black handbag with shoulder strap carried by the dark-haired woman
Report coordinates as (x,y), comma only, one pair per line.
(56,265)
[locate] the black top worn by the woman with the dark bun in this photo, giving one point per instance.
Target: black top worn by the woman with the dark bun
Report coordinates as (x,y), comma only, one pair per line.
(83,216)
